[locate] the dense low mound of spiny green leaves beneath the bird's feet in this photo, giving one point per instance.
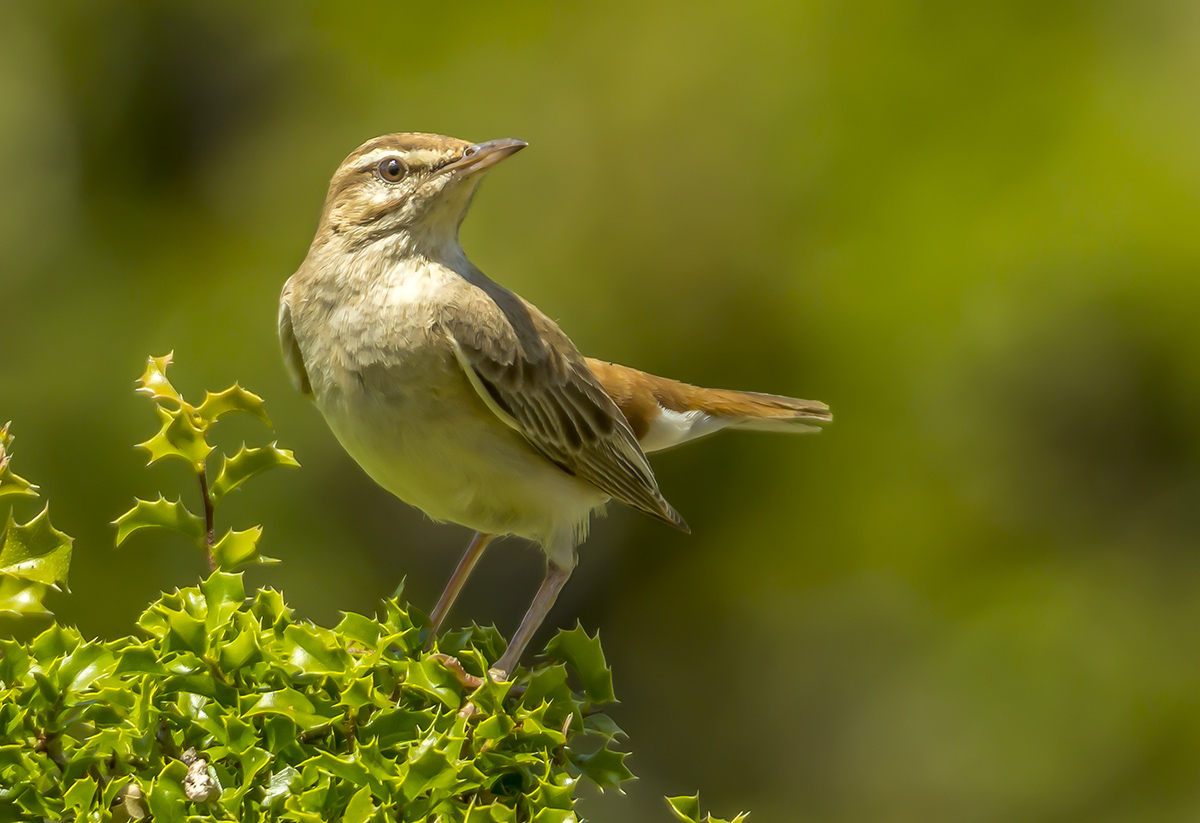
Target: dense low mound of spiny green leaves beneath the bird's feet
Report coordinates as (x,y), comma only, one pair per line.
(291,720)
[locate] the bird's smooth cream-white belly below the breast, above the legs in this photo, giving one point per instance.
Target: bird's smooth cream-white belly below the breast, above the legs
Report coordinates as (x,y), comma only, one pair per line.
(423,434)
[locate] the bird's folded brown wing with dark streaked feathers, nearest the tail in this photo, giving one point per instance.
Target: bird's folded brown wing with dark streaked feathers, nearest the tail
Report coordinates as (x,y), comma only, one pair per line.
(536,381)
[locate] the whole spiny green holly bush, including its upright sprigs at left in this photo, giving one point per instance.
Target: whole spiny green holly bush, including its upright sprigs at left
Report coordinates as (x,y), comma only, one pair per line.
(225,706)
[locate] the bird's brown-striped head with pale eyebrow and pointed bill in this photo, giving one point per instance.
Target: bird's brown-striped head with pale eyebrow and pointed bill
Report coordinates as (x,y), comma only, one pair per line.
(410,187)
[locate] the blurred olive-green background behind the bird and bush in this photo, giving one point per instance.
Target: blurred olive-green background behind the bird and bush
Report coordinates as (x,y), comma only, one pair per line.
(970,229)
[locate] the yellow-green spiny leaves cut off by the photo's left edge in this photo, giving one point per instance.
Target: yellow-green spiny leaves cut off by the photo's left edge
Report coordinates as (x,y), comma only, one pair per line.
(34,556)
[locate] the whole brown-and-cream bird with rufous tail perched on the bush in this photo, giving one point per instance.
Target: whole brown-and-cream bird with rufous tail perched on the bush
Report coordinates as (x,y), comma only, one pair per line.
(463,399)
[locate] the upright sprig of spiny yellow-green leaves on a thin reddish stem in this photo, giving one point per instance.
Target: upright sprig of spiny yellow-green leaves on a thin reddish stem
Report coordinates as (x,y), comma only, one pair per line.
(183,436)
